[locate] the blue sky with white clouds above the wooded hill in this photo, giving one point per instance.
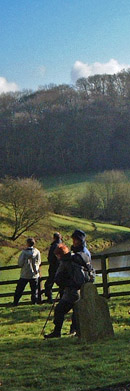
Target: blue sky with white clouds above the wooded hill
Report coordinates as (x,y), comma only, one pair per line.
(59,41)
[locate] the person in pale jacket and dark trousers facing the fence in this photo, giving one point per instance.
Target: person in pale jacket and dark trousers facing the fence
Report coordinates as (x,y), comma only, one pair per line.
(29,261)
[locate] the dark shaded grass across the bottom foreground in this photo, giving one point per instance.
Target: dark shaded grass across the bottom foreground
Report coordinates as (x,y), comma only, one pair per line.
(62,364)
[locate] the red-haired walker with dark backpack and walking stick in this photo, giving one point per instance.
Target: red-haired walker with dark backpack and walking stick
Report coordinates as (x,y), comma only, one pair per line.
(73,271)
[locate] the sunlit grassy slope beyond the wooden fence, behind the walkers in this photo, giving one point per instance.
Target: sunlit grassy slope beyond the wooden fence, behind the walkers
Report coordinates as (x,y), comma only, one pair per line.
(99,236)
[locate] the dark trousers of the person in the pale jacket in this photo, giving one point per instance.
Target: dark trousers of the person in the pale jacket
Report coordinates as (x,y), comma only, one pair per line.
(21,286)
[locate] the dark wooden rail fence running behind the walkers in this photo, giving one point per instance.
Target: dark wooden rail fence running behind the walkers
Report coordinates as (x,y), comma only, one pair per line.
(105,272)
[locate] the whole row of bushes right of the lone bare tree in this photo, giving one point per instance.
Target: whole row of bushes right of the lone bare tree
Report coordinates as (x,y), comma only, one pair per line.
(106,198)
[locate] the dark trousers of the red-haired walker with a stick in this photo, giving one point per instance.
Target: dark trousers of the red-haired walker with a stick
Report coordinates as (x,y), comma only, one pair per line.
(62,308)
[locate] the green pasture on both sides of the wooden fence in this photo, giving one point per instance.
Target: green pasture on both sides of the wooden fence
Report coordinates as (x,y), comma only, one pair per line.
(28,362)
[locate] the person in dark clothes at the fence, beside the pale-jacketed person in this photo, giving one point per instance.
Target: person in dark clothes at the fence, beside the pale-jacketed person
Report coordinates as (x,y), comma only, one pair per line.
(53,266)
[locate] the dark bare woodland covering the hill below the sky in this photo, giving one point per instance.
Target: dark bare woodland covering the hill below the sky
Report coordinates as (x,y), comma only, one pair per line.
(66,128)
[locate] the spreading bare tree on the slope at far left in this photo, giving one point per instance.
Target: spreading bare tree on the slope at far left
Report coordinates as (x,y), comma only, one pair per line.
(25,202)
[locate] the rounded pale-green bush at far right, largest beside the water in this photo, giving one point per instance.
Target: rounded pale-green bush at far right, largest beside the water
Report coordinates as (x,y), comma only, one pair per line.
(107,199)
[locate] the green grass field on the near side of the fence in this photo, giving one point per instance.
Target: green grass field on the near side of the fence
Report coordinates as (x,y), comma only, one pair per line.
(28,362)
